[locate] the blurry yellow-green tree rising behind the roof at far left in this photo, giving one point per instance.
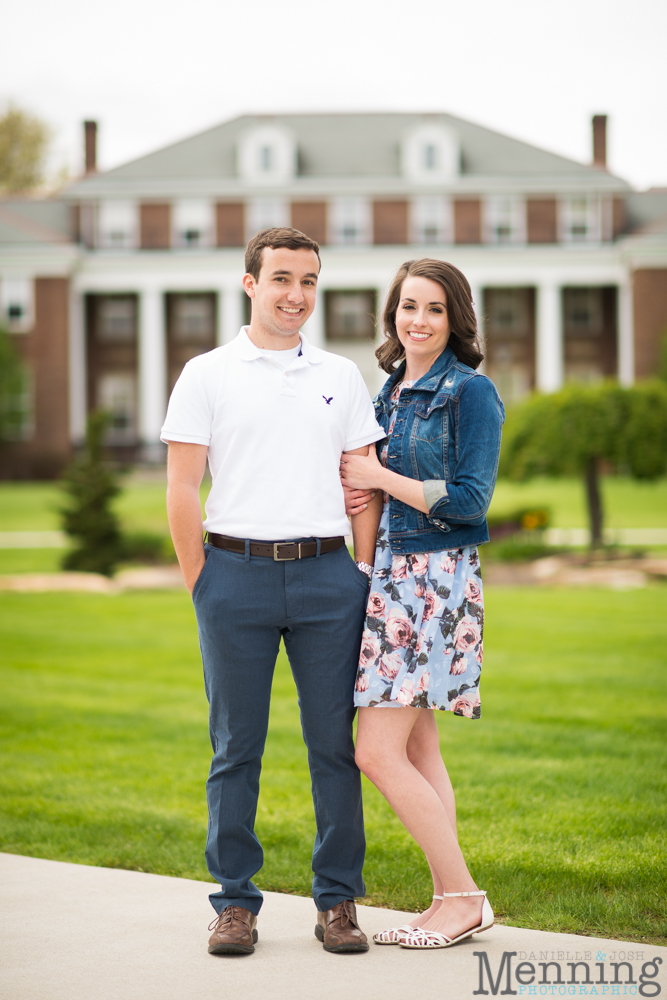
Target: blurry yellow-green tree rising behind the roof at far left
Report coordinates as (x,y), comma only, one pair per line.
(24,142)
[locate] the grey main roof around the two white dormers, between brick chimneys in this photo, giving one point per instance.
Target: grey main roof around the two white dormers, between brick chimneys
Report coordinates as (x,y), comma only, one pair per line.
(346,147)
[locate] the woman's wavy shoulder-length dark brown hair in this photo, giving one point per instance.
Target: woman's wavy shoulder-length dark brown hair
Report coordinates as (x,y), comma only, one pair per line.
(464,337)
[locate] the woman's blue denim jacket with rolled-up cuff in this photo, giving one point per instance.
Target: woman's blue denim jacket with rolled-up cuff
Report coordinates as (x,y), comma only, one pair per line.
(446,434)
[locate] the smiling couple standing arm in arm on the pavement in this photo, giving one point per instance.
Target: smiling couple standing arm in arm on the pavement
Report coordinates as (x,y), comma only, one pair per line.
(394,633)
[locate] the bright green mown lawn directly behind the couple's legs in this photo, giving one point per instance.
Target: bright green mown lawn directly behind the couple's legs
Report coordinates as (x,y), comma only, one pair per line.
(560,786)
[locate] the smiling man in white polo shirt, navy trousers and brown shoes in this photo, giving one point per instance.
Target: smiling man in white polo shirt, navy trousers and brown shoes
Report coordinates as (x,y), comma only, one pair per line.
(273,415)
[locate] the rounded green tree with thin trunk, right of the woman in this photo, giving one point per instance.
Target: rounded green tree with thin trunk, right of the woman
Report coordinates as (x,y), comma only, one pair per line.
(576,430)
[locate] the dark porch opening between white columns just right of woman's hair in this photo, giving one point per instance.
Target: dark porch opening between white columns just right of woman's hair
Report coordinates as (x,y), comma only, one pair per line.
(509,334)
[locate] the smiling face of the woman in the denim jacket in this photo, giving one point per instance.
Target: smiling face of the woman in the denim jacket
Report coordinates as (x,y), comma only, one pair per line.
(422,323)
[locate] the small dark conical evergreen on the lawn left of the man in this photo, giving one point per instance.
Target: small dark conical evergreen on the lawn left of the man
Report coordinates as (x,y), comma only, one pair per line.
(89,518)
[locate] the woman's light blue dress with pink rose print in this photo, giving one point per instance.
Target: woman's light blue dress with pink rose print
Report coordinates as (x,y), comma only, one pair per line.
(422,641)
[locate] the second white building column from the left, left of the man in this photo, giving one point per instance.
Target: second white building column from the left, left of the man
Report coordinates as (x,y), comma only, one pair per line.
(152,371)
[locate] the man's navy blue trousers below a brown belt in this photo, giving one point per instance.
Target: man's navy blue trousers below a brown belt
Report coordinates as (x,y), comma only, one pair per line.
(244,605)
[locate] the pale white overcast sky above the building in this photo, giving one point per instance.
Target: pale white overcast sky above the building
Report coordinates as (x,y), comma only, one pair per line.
(152,72)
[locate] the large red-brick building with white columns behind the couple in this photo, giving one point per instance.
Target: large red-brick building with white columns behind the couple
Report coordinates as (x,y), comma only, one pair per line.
(110,289)
